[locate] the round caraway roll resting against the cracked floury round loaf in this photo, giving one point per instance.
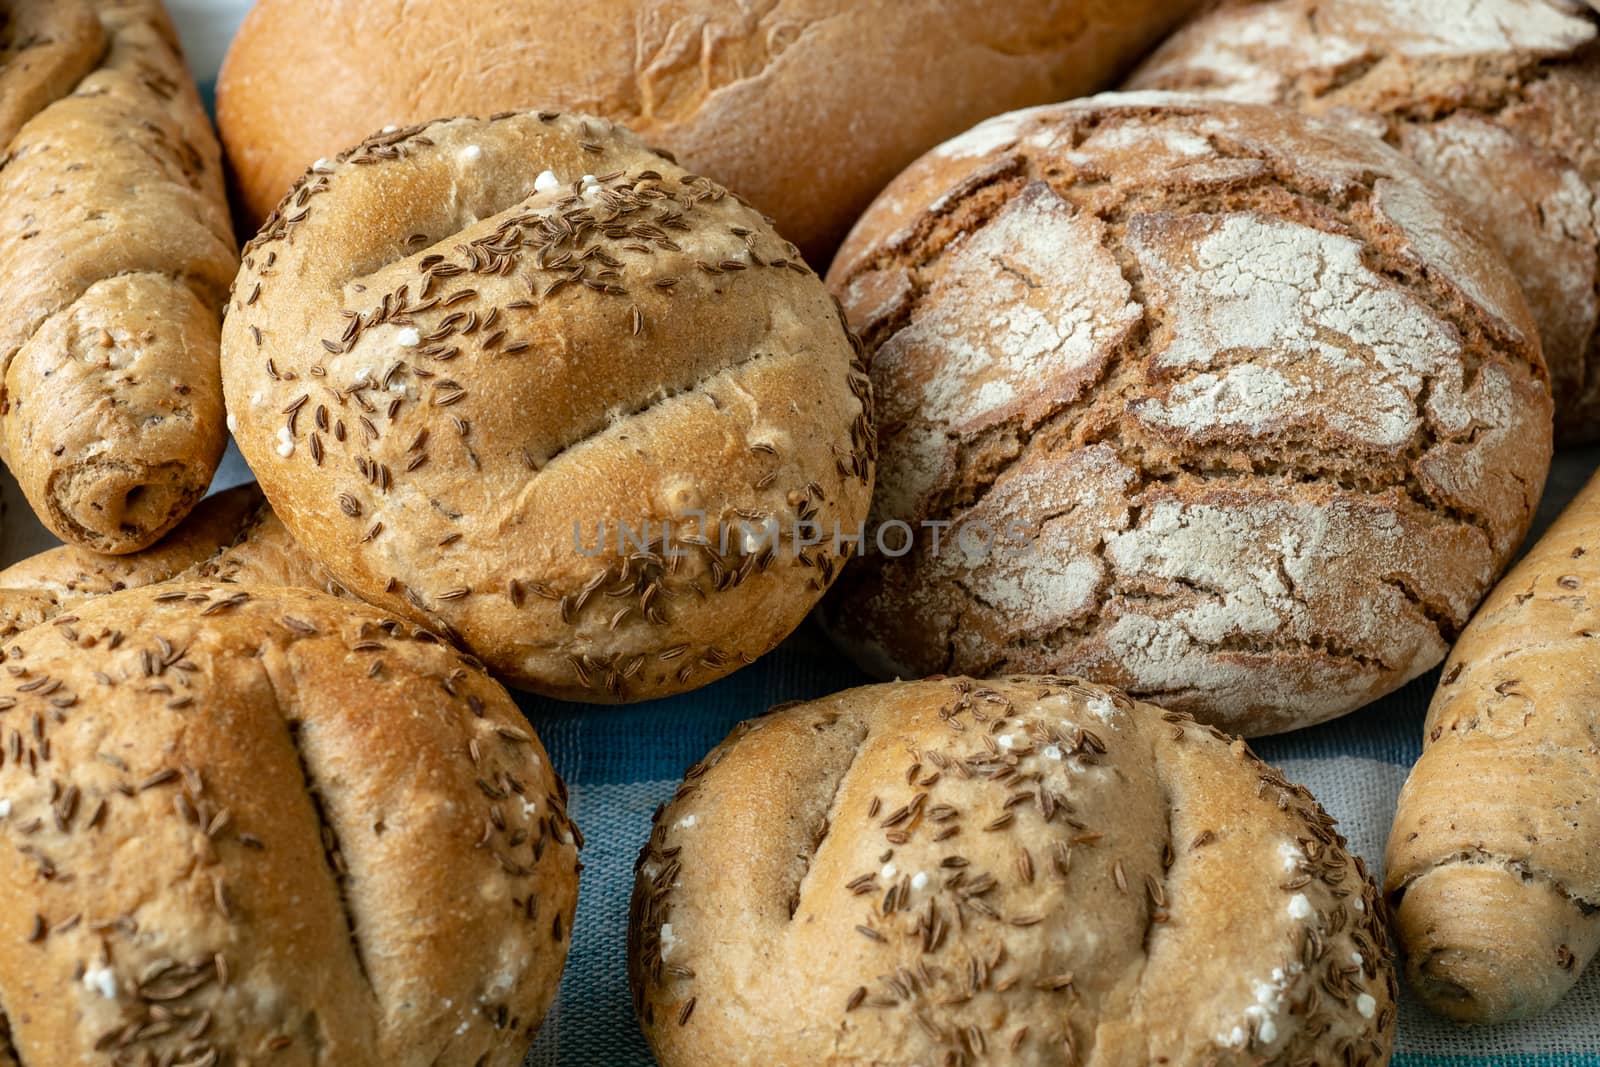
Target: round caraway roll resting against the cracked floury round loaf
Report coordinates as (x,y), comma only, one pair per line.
(537,386)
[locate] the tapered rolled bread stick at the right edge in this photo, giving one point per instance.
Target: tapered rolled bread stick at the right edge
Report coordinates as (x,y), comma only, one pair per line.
(1495,853)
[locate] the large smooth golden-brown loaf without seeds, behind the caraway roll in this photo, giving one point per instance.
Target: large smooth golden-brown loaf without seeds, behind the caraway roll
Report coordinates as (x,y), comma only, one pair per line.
(807,108)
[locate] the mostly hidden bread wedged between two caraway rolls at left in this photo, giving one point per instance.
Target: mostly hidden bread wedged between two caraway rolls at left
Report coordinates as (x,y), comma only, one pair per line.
(230,538)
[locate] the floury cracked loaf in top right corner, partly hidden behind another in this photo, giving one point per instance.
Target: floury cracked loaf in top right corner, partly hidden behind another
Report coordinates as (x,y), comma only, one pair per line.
(1498,100)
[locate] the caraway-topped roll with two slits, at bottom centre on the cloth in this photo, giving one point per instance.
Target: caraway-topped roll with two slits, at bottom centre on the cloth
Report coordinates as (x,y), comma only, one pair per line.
(1028,871)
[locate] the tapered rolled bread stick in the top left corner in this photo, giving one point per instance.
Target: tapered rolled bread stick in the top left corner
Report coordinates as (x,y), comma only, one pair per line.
(116,255)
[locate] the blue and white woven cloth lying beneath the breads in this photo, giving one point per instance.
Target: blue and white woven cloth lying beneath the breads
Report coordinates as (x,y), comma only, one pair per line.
(623,762)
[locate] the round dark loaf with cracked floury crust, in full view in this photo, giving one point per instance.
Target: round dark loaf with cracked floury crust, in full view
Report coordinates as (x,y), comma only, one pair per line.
(1210,402)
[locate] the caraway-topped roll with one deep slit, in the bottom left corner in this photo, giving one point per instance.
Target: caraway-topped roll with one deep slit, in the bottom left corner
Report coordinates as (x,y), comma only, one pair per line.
(263,826)
